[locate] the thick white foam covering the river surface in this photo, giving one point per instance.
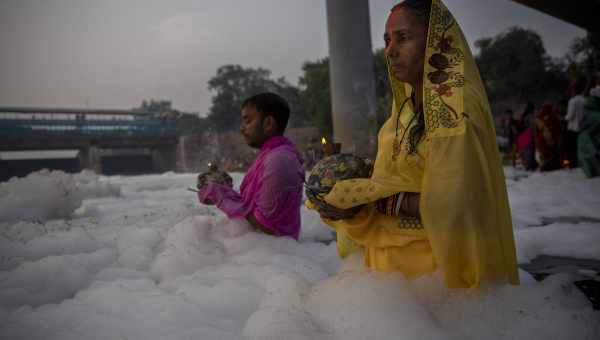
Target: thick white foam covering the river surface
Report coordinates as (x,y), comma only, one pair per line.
(152,263)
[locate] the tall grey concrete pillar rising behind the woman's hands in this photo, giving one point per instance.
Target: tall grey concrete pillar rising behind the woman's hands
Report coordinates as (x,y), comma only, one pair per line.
(352,76)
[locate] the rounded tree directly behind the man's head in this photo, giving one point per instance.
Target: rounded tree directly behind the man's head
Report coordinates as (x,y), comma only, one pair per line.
(233,84)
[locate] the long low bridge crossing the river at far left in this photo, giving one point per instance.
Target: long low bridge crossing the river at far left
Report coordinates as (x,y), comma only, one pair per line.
(105,141)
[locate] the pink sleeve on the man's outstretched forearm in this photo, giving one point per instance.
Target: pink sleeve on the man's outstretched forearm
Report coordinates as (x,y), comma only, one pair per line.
(226,199)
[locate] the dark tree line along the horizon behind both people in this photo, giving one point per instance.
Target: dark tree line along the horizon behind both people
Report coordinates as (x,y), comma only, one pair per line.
(514,66)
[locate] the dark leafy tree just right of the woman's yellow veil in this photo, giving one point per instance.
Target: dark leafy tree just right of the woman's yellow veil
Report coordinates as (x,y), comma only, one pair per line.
(516,69)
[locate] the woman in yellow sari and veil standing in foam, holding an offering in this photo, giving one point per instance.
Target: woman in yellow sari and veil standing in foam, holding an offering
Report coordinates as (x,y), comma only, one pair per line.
(437,198)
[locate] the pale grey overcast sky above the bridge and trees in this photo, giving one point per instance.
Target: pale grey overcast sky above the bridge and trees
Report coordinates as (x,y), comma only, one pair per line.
(115,53)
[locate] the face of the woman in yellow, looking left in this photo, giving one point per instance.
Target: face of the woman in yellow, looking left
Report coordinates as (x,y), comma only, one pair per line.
(405,39)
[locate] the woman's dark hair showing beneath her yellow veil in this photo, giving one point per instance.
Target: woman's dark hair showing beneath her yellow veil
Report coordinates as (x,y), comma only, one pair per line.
(420,9)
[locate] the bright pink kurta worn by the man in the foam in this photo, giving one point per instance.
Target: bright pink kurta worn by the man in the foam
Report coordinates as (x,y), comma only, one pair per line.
(271,189)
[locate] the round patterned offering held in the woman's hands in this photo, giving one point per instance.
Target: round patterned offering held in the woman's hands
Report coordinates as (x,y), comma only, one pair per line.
(329,170)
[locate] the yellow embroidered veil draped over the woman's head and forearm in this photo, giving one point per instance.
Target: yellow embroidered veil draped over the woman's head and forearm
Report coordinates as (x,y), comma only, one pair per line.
(464,204)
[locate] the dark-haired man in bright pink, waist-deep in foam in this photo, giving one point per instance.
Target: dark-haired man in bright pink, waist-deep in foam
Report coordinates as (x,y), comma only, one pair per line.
(271,191)
